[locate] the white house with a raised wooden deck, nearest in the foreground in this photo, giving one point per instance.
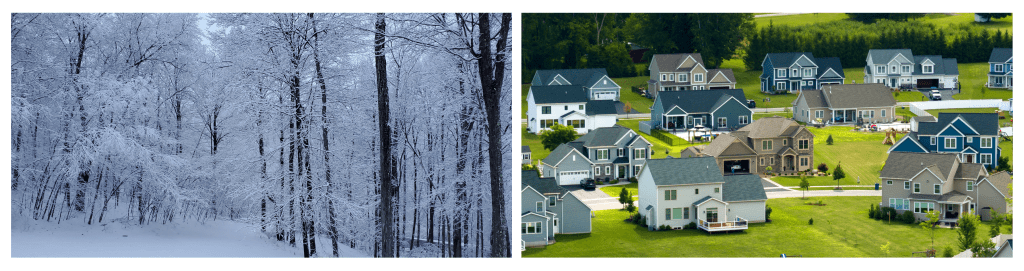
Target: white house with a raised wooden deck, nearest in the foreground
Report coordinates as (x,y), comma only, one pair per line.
(678,192)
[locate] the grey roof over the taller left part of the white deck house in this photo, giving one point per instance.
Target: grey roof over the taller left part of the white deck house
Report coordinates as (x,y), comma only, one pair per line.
(685,171)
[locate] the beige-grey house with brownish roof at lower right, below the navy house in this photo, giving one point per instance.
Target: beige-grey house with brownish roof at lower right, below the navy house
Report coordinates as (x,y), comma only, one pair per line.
(921,183)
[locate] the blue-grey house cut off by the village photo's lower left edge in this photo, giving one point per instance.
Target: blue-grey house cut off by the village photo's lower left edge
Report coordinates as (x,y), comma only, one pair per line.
(548,210)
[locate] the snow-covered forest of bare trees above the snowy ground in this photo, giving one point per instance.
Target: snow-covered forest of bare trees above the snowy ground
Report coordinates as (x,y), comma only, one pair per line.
(386,133)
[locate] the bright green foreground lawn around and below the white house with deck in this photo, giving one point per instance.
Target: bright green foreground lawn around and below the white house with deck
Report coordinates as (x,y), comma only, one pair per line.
(841,230)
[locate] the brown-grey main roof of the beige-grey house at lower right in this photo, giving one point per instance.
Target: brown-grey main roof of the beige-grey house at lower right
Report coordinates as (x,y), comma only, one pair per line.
(903,165)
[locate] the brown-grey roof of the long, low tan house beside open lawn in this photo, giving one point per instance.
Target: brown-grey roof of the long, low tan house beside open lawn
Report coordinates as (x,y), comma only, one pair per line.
(858,96)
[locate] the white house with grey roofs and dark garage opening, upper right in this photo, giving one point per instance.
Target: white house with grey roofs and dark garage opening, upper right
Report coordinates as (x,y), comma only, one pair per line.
(901,69)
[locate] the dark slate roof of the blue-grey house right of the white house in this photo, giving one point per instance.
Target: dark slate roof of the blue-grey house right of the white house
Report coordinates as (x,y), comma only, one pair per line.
(698,102)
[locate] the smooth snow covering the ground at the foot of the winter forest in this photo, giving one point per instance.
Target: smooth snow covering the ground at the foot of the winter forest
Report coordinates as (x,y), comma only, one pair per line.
(189,240)
